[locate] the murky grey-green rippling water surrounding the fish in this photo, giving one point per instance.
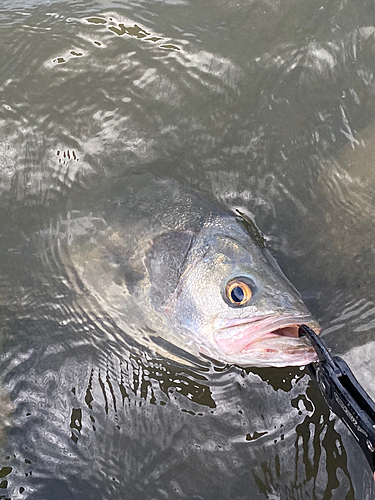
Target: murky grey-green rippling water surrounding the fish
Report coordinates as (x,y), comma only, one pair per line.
(263,106)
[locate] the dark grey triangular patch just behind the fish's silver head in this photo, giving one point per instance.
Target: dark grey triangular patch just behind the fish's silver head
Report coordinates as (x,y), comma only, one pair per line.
(166,261)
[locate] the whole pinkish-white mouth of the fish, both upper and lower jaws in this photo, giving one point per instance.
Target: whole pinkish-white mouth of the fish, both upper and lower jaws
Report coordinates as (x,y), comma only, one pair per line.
(266,341)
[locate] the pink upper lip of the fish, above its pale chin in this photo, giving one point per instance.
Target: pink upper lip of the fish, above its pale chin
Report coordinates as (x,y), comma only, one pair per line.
(264,327)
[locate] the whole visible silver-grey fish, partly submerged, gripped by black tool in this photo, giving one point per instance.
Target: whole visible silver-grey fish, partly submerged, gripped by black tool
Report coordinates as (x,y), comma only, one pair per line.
(200,276)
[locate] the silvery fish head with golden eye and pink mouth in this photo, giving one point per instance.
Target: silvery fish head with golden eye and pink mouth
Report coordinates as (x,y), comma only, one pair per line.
(234,303)
